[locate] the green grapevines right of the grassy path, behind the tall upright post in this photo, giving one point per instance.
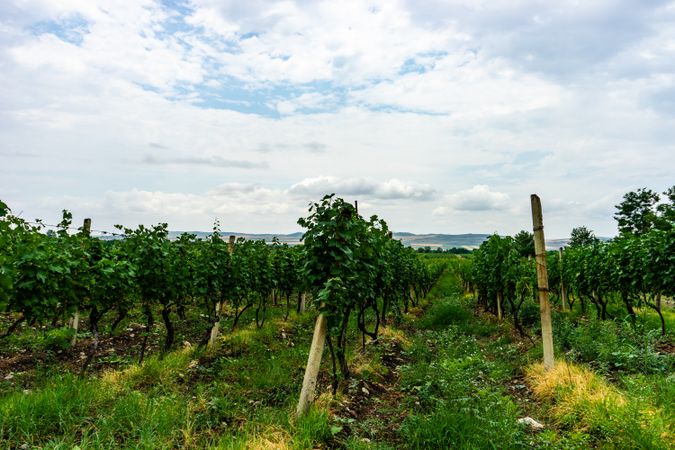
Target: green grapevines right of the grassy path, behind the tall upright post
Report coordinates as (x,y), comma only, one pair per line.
(630,270)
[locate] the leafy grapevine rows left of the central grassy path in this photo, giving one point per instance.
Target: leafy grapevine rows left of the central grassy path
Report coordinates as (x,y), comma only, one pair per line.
(49,277)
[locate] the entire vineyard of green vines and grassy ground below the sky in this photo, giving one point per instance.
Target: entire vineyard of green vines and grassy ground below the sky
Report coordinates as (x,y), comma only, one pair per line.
(147,342)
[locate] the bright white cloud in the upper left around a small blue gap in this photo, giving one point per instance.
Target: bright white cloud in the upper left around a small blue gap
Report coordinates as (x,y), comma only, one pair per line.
(122,41)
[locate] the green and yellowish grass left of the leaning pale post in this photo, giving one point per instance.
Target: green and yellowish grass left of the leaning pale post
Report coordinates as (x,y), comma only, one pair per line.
(239,396)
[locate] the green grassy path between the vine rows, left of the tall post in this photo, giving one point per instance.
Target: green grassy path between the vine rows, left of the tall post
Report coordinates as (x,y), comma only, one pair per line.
(454,386)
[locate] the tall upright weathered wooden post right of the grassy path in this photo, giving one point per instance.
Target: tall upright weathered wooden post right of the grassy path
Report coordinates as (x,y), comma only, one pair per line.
(542,281)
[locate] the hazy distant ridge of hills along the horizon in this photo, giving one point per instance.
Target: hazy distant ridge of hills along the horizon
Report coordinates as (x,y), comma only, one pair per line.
(433,240)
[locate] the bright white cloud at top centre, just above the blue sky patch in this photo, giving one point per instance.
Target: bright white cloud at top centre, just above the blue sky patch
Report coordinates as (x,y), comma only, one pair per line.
(347,42)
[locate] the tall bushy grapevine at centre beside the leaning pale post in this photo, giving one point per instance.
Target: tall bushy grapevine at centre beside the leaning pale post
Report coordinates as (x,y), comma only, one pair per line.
(350,263)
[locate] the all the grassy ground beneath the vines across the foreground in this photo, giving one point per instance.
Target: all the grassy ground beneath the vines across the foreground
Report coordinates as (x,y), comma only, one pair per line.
(456,384)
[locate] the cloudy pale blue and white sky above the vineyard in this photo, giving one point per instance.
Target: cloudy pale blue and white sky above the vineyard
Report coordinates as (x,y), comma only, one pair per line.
(438,116)
